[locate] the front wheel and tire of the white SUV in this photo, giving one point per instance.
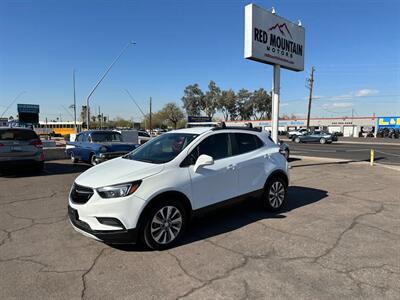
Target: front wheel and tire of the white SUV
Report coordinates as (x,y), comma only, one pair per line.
(152,230)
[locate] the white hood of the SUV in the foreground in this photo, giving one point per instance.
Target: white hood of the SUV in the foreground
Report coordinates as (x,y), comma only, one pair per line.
(118,170)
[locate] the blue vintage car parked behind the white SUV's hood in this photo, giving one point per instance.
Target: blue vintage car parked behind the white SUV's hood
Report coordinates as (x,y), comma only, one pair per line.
(96,146)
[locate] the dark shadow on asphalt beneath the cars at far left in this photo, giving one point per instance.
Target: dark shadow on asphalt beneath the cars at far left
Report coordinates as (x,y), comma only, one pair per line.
(50,168)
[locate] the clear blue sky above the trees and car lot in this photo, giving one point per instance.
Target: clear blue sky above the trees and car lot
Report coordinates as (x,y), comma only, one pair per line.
(354,46)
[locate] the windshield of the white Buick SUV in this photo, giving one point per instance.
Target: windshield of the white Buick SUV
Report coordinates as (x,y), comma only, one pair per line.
(163,148)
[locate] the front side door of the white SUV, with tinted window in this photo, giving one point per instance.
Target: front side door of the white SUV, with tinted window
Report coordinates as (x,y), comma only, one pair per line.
(217,182)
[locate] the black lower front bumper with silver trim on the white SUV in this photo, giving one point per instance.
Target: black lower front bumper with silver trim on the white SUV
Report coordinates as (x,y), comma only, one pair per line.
(121,236)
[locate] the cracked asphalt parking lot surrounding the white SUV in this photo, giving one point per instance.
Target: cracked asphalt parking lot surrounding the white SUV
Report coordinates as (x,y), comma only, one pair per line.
(337,237)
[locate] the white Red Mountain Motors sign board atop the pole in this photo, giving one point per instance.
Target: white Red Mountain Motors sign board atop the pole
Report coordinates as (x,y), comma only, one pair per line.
(272,39)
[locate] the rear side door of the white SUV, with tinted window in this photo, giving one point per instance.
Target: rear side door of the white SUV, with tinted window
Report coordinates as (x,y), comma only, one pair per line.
(251,158)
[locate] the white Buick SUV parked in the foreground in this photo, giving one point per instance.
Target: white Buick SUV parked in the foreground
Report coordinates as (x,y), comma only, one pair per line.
(151,193)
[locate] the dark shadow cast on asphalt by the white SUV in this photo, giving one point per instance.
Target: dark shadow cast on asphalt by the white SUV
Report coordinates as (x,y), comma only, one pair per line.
(236,216)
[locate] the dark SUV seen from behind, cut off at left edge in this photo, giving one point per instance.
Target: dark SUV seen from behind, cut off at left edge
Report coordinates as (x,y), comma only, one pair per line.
(20,146)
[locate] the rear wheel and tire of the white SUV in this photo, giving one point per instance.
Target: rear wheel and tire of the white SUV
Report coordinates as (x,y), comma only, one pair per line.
(274,194)
